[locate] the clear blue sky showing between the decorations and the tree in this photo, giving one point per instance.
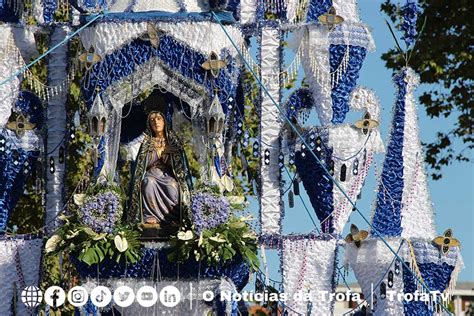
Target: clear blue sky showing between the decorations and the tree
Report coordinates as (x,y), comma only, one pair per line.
(452,196)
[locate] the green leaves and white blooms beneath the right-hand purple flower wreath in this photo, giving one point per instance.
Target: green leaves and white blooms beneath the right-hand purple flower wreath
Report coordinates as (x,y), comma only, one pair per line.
(217,245)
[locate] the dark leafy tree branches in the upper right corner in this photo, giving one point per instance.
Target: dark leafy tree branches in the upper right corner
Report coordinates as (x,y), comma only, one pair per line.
(442,56)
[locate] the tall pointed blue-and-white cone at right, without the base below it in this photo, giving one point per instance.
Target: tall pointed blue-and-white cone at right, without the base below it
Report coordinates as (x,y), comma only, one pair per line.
(403,206)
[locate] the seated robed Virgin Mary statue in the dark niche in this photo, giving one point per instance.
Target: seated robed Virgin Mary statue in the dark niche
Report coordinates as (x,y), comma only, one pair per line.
(161,182)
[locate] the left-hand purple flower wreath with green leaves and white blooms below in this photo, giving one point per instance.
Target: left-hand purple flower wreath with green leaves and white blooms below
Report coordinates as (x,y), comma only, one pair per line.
(92,232)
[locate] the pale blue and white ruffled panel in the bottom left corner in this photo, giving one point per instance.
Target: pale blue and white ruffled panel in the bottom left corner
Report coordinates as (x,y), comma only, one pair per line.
(20,264)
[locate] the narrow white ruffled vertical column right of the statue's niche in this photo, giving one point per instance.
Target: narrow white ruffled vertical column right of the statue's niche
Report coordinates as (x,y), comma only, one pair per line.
(270,125)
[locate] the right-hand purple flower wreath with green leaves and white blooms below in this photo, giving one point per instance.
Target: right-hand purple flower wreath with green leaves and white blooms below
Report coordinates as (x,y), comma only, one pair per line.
(216,234)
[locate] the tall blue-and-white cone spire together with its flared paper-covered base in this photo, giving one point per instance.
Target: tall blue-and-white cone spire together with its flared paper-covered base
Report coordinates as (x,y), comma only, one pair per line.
(403,215)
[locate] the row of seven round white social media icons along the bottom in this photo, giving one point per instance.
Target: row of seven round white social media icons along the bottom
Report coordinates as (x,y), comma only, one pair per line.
(101,296)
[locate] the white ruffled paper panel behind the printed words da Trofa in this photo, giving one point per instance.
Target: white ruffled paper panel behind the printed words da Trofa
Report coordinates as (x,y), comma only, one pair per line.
(308,266)
